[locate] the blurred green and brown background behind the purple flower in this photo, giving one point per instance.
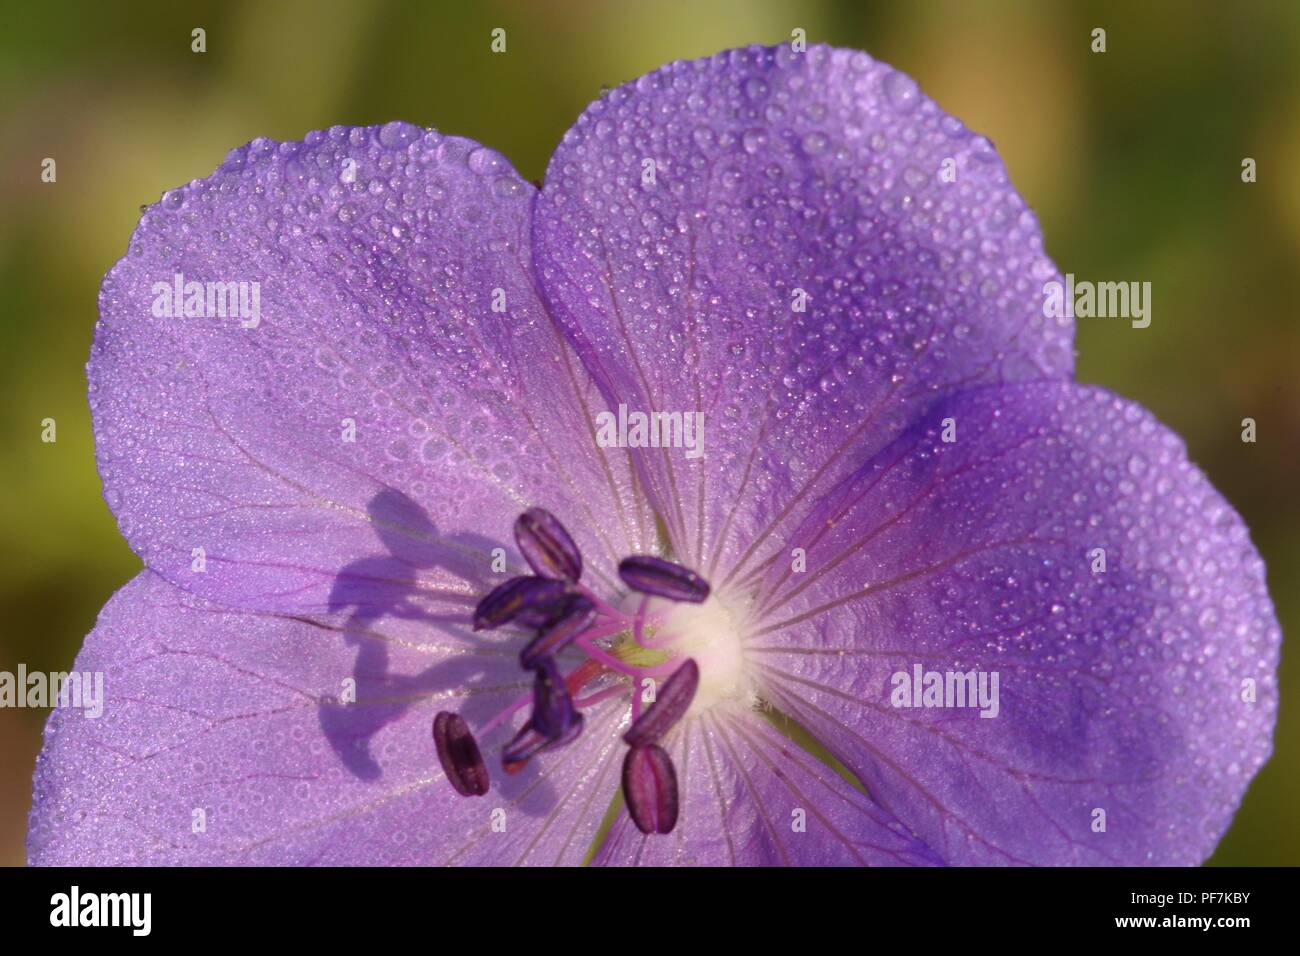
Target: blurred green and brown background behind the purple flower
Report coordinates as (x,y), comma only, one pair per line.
(1132,158)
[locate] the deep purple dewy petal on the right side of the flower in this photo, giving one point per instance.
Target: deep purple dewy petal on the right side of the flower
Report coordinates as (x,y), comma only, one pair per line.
(1064,543)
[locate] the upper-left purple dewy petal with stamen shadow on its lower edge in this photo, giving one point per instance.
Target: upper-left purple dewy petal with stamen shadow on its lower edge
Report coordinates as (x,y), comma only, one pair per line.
(393,399)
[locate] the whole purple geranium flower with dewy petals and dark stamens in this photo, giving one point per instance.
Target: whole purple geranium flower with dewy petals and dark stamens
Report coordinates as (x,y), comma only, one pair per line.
(751,388)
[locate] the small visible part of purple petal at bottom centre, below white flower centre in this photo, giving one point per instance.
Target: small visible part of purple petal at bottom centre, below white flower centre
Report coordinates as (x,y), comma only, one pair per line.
(749,797)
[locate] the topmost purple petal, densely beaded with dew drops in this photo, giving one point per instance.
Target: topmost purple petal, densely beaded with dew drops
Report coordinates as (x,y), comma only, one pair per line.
(805,250)
